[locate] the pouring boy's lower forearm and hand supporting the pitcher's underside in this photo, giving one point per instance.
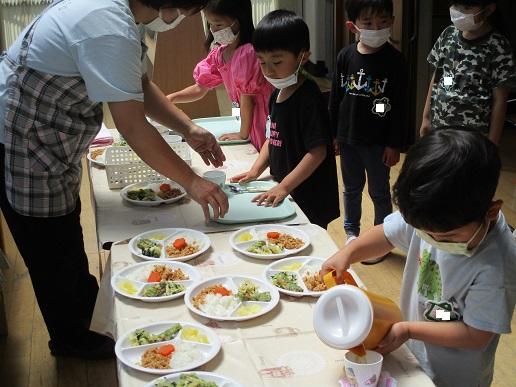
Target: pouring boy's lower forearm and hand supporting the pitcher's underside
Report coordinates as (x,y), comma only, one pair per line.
(445,334)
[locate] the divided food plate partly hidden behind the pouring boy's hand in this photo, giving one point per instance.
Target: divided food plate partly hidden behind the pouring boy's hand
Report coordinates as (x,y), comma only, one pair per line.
(298,276)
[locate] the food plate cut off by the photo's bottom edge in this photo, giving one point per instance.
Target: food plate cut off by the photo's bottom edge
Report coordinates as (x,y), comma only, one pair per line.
(188,379)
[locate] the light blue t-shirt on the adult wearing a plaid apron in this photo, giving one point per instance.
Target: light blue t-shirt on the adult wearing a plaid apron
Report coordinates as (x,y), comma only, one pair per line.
(97,40)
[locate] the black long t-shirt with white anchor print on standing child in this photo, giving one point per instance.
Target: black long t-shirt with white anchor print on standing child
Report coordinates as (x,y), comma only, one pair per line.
(368,98)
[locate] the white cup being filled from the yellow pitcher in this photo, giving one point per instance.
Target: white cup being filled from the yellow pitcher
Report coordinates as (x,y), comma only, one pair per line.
(363,371)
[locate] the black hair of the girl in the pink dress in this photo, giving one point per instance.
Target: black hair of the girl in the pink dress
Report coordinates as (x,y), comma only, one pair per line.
(240,10)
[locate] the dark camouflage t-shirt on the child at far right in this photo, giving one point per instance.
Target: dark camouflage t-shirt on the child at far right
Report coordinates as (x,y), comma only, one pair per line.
(466,72)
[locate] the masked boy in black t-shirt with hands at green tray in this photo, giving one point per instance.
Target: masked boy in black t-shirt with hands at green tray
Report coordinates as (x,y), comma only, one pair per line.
(298,149)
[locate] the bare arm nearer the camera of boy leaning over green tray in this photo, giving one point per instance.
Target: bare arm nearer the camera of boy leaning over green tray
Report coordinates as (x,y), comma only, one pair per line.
(300,173)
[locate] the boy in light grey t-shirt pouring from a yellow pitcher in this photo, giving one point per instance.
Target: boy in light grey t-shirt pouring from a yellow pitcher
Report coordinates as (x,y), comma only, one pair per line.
(459,284)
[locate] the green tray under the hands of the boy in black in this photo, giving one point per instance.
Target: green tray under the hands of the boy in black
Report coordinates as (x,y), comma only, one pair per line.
(242,210)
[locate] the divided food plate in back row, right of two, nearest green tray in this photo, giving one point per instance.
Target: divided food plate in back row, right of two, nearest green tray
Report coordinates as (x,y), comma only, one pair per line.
(269,241)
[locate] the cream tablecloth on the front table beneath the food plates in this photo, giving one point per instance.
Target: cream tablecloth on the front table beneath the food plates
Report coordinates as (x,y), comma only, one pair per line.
(277,349)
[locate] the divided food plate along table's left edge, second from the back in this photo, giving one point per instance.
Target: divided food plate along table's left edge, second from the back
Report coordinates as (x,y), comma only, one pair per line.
(155,281)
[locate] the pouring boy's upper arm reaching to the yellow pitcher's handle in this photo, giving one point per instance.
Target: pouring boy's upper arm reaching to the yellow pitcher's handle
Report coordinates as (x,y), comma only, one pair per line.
(371,244)
